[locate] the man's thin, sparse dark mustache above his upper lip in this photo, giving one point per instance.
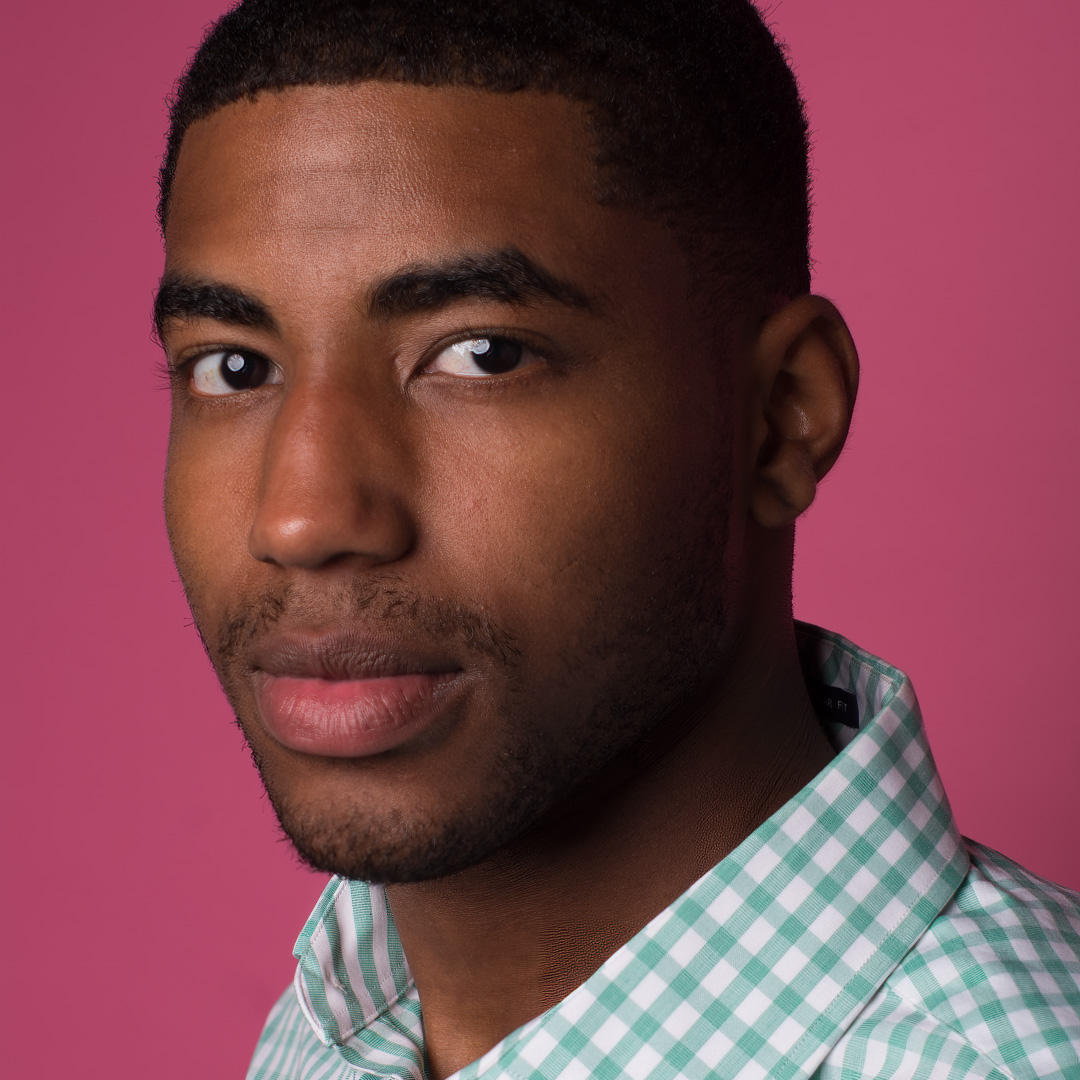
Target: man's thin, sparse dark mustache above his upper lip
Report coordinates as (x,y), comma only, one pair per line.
(377,607)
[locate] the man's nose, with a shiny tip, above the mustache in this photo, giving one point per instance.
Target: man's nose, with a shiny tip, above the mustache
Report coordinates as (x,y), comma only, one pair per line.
(332,484)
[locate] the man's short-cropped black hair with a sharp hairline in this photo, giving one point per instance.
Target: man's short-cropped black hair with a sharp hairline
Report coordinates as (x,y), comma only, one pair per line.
(696,116)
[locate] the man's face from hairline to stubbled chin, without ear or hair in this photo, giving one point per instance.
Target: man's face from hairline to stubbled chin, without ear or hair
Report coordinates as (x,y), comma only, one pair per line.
(453,481)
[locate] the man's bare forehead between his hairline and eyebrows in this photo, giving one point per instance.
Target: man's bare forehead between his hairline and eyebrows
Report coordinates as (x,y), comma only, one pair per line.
(384,163)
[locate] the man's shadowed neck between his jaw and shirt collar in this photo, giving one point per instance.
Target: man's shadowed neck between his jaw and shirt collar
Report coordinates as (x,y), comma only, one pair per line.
(503,942)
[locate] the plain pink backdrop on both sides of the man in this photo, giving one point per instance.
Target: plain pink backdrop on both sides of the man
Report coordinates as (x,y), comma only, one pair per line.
(150,904)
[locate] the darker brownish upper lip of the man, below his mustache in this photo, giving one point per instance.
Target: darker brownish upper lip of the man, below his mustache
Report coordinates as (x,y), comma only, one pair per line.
(347,654)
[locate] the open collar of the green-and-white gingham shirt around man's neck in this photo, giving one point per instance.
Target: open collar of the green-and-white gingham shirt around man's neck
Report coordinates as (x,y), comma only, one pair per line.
(757,970)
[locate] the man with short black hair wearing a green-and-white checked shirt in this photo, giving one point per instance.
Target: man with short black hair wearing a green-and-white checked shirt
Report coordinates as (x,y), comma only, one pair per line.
(498,390)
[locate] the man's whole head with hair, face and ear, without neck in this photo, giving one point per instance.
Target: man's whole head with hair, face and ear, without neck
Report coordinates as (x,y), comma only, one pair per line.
(477,498)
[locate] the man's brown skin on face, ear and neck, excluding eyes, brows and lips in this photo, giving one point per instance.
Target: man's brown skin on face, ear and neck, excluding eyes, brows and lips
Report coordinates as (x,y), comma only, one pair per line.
(599,543)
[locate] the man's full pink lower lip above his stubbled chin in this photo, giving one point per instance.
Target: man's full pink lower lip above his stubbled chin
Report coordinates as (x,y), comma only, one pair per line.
(349,718)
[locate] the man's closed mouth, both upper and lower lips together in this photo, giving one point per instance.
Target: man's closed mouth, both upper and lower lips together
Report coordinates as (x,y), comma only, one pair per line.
(344,695)
